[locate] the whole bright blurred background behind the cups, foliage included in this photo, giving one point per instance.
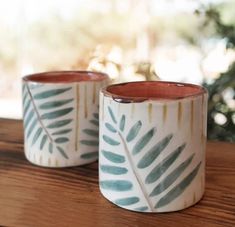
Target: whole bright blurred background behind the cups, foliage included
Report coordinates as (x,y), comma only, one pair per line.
(187,41)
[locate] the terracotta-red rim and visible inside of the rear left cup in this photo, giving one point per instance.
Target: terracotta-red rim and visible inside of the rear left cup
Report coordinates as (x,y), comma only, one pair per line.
(65,77)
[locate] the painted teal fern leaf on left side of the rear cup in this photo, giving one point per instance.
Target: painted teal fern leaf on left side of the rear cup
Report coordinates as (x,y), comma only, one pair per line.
(36,130)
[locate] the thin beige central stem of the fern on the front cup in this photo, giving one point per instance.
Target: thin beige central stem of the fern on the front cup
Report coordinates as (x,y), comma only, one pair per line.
(141,185)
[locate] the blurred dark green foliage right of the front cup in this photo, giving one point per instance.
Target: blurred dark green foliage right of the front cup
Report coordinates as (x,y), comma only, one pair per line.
(222,90)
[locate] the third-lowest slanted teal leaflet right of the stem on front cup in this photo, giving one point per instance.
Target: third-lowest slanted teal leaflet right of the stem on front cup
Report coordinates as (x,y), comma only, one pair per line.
(163,166)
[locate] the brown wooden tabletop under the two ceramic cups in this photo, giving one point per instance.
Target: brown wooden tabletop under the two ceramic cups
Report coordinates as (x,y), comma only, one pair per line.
(34,196)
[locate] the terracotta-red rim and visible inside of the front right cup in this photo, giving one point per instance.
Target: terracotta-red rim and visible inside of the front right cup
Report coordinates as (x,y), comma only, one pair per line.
(152,90)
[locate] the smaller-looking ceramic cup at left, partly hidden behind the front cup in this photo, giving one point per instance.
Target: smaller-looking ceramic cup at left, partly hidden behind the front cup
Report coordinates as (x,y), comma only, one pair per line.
(61,117)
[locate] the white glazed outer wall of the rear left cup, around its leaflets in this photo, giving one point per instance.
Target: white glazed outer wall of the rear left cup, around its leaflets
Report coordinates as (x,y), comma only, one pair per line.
(85,107)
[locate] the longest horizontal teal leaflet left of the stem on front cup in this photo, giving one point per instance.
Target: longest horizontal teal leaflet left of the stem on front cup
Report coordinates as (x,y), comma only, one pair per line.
(116,185)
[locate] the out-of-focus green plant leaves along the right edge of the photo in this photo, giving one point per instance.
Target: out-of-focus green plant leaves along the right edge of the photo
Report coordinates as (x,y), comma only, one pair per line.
(222,89)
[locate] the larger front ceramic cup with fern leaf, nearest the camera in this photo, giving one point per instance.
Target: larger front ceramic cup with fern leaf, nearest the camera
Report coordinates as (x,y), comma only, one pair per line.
(152,145)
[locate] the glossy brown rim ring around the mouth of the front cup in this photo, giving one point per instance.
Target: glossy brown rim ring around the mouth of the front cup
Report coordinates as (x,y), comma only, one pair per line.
(107,91)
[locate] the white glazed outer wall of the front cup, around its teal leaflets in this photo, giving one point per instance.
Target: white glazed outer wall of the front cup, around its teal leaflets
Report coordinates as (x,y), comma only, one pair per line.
(185,118)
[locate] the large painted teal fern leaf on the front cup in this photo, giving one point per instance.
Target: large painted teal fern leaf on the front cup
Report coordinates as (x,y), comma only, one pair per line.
(120,135)
